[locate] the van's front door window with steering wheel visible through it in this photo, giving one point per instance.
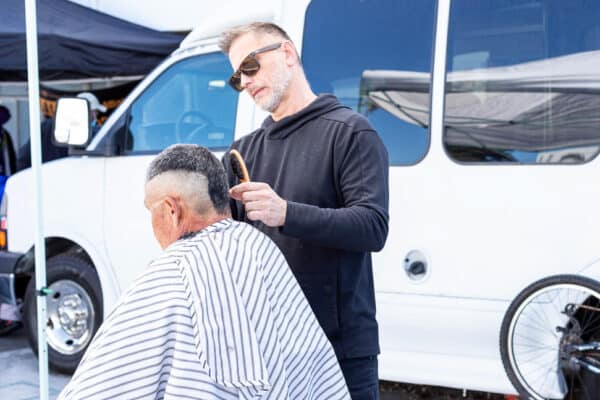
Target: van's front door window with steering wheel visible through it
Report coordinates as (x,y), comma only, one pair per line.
(189,103)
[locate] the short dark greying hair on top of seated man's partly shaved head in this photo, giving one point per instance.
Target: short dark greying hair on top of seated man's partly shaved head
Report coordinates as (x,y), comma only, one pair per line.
(194,159)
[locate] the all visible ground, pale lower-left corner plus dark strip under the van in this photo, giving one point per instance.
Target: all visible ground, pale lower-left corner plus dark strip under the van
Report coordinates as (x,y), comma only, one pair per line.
(19,378)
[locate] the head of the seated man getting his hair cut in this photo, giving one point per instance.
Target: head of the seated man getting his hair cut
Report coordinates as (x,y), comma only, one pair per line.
(186,190)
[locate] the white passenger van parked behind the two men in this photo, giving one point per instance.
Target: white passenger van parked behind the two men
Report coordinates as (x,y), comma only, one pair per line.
(490,111)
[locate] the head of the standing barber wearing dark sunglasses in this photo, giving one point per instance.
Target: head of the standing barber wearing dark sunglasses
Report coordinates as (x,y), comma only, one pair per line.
(265,63)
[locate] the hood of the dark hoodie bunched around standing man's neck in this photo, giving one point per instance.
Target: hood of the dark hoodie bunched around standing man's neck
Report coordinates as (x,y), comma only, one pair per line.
(281,129)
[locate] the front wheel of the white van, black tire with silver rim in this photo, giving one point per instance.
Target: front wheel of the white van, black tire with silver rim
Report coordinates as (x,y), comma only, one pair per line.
(74,310)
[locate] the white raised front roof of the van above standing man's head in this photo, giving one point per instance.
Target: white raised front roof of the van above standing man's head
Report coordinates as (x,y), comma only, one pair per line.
(228,15)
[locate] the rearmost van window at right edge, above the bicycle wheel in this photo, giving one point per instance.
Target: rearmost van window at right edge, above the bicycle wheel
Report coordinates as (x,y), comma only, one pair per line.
(523,81)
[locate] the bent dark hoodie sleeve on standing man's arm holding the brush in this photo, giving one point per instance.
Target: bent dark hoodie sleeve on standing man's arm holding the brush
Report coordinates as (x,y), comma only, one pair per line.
(362,223)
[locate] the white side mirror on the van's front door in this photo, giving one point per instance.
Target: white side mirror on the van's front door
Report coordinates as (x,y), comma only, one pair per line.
(72,125)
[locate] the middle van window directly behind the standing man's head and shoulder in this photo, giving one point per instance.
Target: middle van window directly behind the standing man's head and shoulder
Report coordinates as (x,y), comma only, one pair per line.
(362,51)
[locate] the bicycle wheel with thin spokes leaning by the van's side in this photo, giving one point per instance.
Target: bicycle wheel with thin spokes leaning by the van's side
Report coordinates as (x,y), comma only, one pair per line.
(537,334)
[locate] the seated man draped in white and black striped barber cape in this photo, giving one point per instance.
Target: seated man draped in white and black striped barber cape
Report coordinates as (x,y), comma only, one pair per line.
(218,316)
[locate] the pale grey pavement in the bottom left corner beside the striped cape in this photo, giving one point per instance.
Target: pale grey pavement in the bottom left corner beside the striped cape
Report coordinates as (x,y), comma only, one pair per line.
(19,379)
